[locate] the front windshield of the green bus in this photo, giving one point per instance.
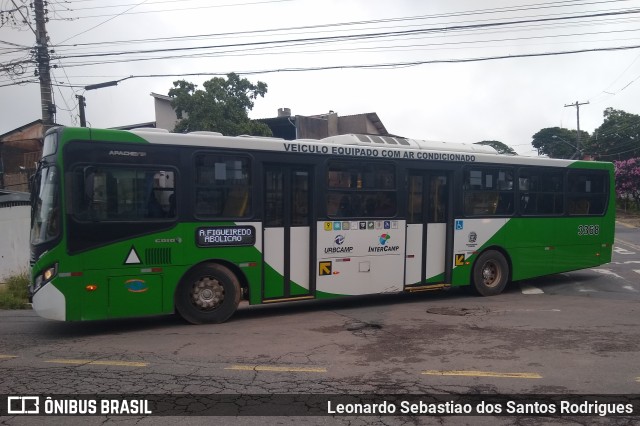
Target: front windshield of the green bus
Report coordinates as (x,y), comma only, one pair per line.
(45,219)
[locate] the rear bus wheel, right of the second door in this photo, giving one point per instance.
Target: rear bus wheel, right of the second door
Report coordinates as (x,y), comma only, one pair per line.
(490,273)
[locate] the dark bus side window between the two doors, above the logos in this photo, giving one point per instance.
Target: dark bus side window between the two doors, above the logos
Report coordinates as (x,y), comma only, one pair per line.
(361,189)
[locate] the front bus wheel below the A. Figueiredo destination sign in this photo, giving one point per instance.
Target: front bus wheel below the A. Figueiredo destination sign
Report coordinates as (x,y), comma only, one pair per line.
(208,294)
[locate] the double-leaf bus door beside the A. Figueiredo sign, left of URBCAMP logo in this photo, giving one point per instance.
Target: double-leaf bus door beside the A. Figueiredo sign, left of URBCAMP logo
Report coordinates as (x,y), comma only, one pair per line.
(287,238)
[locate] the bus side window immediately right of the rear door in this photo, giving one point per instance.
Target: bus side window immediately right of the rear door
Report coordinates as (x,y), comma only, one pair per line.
(488,192)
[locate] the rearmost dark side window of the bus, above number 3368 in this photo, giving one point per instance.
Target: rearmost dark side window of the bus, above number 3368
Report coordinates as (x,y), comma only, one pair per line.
(587,192)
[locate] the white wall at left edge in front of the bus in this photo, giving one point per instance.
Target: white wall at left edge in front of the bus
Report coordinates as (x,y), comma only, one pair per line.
(14,241)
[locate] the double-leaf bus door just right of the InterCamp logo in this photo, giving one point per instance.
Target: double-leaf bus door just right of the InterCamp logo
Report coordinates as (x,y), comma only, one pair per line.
(429,242)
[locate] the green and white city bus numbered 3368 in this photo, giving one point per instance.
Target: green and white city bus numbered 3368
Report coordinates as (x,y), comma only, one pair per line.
(147,222)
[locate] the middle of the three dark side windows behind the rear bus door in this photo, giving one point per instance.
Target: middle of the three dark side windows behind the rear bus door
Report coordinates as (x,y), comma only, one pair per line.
(541,192)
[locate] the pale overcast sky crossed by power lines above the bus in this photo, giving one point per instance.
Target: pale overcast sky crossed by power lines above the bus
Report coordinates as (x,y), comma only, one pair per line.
(451,70)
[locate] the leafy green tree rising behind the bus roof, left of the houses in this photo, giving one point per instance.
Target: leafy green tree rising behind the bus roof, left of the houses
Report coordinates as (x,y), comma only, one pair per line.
(222,106)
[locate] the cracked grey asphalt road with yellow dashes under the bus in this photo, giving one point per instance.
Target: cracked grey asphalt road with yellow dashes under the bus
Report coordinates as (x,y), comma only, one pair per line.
(571,333)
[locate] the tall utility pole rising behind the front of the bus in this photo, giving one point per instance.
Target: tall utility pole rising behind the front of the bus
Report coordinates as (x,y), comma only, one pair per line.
(42,59)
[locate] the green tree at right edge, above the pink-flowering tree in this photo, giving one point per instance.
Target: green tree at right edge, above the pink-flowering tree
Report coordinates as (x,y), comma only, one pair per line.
(617,138)
